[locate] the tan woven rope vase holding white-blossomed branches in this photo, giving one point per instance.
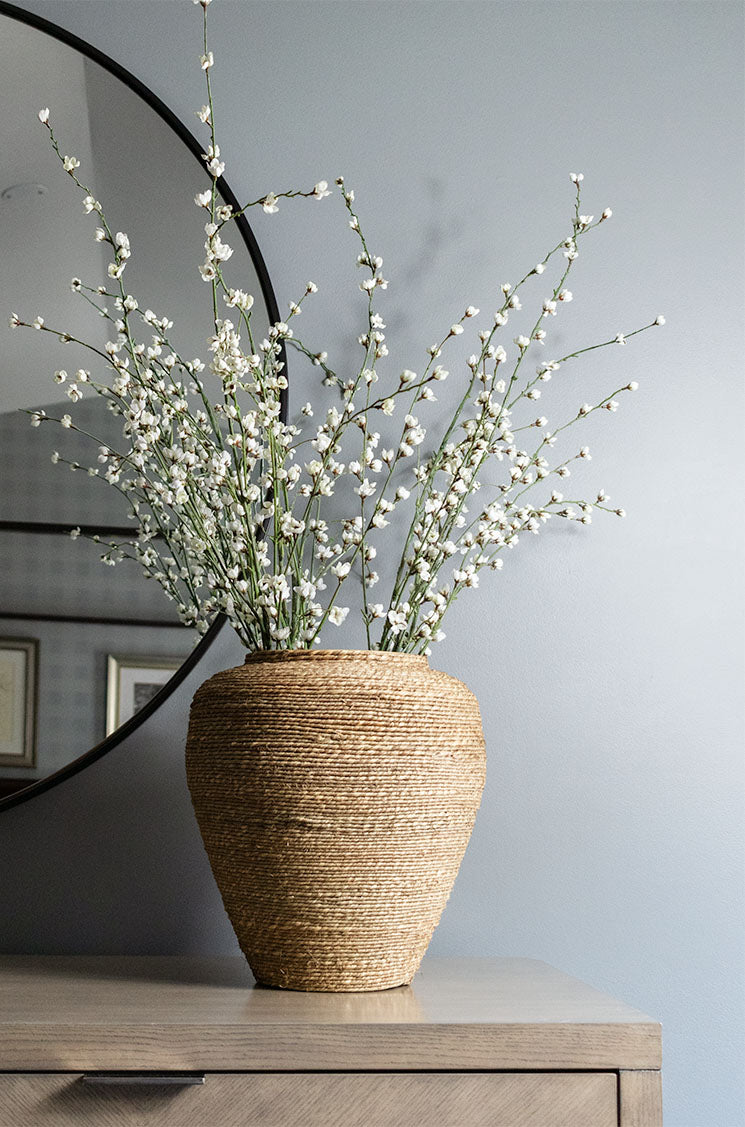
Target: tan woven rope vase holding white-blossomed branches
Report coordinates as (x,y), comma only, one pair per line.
(336,793)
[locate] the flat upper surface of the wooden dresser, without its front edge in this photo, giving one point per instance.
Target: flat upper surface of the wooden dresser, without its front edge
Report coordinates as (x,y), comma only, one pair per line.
(221,991)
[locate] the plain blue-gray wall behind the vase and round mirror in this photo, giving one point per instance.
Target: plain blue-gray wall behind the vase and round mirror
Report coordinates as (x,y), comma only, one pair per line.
(608,661)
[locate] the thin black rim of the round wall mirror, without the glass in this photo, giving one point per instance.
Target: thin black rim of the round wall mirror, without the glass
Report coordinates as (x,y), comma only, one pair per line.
(59,33)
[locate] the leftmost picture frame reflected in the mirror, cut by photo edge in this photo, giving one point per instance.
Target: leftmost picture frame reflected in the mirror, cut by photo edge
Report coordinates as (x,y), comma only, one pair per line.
(19,699)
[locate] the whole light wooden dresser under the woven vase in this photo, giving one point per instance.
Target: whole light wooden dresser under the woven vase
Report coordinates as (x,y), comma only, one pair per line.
(193,1043)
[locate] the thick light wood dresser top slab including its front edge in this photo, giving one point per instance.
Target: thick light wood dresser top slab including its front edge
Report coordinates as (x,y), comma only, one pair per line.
(171,1014)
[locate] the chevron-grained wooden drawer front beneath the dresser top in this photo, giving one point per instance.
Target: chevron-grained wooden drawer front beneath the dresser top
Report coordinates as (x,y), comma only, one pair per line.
(316,1101)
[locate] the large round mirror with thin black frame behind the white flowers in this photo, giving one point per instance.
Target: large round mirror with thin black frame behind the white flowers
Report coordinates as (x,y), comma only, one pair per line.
(86,651)
